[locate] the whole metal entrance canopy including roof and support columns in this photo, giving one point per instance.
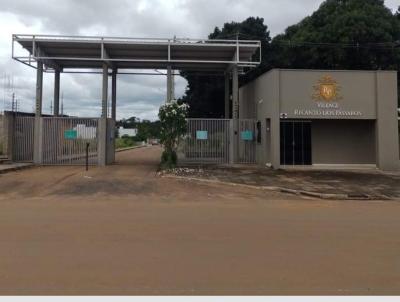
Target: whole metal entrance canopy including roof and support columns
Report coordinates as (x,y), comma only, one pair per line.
(63,53)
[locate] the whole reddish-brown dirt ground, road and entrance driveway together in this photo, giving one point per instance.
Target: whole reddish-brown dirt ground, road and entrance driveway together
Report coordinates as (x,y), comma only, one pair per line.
(123,230)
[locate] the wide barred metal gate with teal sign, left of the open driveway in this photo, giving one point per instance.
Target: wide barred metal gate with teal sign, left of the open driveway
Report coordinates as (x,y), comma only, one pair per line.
(64,140)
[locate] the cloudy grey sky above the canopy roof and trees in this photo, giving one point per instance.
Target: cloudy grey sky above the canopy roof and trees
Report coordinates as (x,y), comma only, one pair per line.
(157,18)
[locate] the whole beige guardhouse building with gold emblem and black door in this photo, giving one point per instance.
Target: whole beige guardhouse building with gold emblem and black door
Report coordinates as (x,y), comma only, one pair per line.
(324,118)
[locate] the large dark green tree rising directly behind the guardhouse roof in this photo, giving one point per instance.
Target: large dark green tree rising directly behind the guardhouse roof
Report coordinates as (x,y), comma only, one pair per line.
(341,34)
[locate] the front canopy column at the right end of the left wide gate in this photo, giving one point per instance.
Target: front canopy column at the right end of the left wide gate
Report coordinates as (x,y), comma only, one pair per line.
(102,138)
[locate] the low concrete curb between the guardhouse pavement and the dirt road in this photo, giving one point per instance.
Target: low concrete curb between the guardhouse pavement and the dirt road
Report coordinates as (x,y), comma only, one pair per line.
(326,196)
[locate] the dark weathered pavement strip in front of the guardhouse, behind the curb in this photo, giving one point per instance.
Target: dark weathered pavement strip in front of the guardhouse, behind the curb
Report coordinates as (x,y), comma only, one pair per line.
(326,184)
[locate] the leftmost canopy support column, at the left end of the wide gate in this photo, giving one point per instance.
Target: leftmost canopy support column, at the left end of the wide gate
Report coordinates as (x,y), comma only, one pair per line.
(37,140)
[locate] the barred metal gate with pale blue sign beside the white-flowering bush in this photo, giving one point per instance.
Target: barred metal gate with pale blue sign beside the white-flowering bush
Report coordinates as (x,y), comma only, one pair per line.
(206,141)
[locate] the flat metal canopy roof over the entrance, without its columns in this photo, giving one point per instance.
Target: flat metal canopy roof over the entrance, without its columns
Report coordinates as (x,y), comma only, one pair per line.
(87,52)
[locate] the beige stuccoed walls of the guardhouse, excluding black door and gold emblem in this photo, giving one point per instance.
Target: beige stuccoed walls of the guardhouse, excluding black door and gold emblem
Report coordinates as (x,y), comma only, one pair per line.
(367,95)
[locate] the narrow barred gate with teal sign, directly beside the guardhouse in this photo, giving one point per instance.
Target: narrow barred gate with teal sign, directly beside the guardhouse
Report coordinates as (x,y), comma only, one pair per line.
(247,141)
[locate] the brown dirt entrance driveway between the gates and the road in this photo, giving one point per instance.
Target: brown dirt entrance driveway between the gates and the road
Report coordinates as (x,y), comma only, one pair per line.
(134,176)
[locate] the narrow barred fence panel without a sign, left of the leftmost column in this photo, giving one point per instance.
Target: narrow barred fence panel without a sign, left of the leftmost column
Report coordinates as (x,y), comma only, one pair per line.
(22,139)
